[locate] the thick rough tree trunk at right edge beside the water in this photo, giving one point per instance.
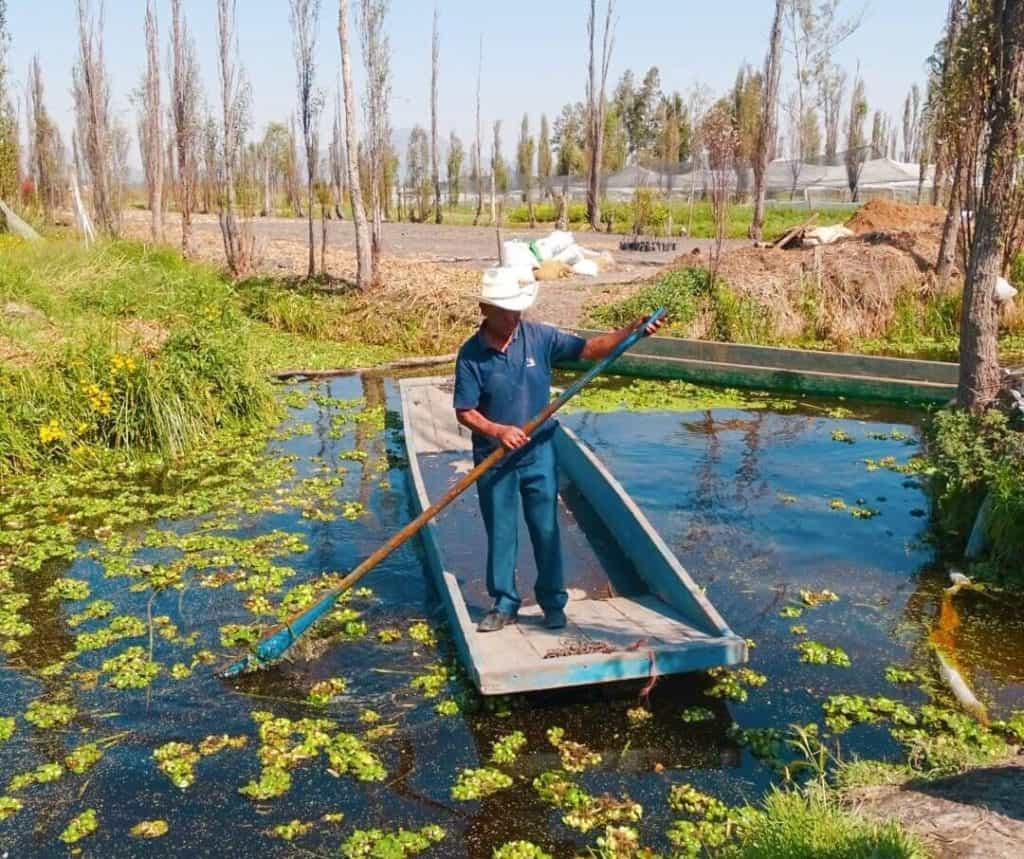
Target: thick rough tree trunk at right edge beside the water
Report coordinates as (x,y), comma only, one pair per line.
(979,368)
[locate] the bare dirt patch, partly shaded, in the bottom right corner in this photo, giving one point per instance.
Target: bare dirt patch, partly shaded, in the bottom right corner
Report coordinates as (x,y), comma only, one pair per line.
(976,815)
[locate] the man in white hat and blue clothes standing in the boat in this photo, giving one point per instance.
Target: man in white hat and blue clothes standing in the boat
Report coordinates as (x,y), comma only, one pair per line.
(502,381)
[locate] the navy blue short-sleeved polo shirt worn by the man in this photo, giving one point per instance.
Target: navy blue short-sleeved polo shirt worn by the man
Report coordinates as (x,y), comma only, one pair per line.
(514,386)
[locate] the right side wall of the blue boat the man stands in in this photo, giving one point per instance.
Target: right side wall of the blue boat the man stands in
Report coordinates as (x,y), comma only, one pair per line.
(655,563)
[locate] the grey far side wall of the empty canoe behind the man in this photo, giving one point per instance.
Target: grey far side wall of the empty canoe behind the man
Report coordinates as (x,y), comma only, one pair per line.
(846,364)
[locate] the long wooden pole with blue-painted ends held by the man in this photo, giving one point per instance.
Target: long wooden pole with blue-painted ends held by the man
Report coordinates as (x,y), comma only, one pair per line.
(274,647)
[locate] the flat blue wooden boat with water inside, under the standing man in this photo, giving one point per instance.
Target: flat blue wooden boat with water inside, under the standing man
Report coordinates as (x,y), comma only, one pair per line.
(634,612)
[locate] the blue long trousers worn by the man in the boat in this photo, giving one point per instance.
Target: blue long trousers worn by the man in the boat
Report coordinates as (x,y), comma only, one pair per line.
(500,493)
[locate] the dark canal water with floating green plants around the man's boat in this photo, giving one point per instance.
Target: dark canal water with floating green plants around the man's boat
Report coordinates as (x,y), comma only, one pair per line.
(758,504)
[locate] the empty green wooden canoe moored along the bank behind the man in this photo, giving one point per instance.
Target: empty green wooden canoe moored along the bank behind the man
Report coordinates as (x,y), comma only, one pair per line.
(792,371)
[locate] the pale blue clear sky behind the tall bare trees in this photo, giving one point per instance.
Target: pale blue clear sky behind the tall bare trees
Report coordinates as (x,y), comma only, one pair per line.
(535,53)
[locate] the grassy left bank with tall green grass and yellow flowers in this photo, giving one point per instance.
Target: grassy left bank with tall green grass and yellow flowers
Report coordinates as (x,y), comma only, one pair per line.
(133,349)
